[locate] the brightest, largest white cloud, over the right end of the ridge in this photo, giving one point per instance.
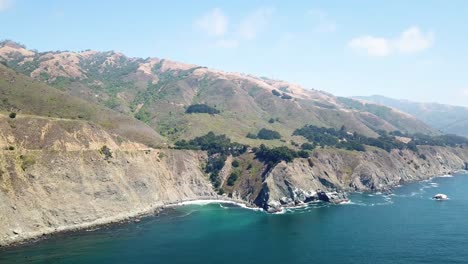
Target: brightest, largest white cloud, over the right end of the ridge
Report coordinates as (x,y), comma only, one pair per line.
(411,40)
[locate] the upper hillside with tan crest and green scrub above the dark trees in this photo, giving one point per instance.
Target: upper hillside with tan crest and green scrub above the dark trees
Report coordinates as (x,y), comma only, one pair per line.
(159,92)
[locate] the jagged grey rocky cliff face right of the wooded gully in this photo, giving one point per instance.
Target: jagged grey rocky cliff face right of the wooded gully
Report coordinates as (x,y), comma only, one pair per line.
(374,170)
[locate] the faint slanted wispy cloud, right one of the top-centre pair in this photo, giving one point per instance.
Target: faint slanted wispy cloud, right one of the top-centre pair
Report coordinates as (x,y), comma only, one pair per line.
(255,23)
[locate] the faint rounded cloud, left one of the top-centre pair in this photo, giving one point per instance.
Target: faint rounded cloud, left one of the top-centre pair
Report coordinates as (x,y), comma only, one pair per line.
(213,23)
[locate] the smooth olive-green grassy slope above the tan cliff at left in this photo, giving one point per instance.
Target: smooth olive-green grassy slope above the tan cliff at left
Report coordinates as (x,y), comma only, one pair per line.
(21,94)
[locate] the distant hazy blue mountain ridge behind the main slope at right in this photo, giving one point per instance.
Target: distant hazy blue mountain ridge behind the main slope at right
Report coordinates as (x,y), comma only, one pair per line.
(446,118)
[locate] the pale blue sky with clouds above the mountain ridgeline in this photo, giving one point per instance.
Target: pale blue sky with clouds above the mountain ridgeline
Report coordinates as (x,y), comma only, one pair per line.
(415,50)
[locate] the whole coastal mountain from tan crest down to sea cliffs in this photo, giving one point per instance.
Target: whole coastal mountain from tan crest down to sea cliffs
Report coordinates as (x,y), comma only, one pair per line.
(88,138)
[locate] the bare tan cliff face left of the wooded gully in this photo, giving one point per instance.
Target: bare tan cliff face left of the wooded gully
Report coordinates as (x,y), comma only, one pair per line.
(54,175)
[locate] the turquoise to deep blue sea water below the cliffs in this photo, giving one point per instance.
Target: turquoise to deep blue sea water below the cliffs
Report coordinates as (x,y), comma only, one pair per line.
(406,227)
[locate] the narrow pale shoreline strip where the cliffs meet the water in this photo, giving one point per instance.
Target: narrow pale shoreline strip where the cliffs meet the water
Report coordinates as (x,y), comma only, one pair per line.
(151,211)
